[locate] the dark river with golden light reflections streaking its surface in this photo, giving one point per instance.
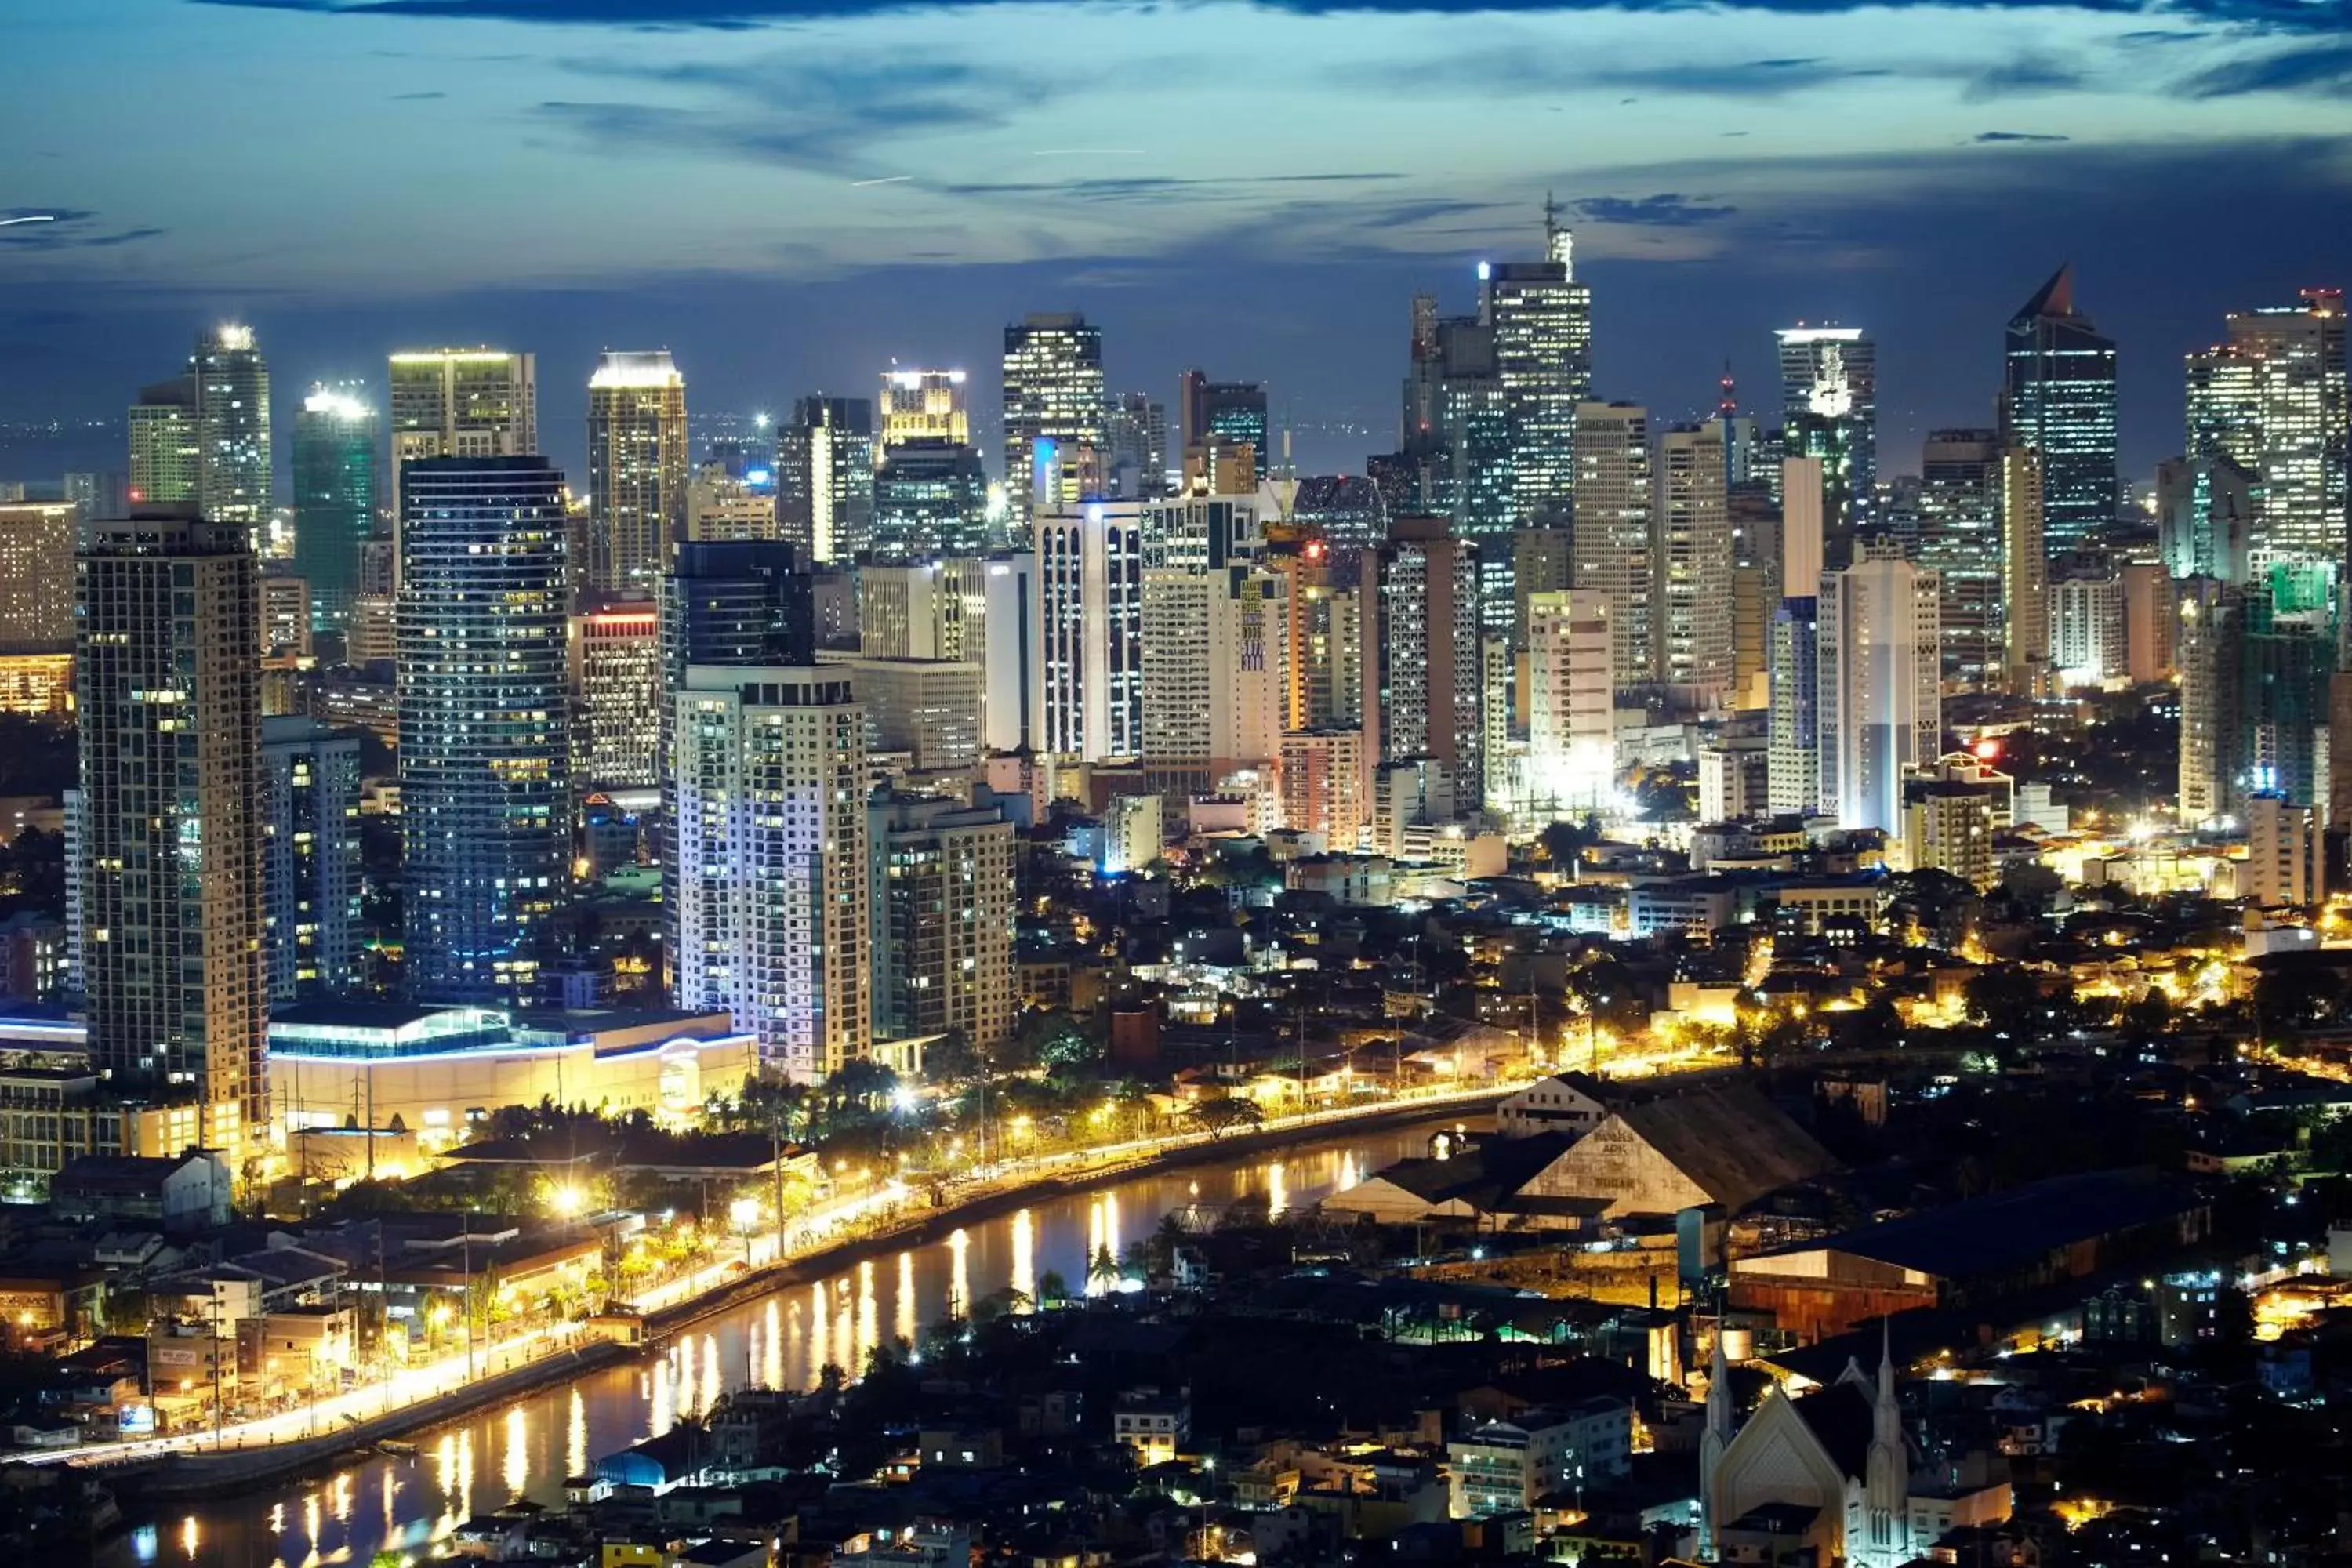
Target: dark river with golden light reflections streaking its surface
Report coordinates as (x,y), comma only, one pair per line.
(780,1341)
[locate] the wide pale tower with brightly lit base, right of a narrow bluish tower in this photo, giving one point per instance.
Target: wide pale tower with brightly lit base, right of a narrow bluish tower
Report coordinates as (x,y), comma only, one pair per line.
(1880,685)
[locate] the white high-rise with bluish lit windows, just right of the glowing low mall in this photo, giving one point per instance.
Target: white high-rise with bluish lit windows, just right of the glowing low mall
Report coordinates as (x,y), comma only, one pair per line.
(773,880)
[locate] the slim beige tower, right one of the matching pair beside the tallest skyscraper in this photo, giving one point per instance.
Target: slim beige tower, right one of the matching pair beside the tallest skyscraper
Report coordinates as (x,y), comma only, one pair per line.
(1695,565)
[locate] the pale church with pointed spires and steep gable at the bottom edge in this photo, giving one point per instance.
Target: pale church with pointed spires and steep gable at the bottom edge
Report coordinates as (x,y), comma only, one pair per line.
(1824,1477)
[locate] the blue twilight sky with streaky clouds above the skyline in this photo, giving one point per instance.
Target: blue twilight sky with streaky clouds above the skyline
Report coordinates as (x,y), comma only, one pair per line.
(791,192)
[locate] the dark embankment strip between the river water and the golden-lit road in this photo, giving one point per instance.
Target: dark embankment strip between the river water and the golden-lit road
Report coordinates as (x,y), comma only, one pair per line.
(241,1470)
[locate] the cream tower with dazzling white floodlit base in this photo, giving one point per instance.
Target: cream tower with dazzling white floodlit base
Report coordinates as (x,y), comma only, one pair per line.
(1570,702)
